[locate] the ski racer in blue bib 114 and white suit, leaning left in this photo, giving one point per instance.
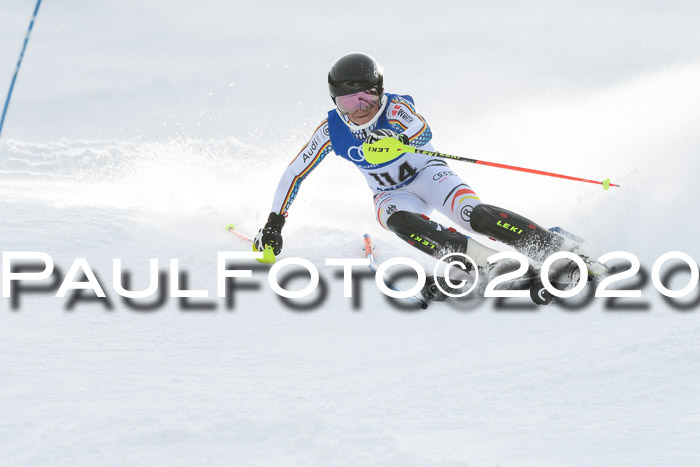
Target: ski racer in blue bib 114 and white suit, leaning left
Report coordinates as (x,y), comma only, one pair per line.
(408,188)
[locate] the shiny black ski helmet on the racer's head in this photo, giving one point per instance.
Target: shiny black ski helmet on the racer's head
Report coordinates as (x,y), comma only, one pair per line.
(354,73)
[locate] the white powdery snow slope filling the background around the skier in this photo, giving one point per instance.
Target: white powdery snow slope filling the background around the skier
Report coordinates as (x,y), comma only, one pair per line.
(139,129)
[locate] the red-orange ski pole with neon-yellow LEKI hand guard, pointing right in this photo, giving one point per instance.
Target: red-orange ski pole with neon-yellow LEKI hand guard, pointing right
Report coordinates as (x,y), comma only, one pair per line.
(387,149)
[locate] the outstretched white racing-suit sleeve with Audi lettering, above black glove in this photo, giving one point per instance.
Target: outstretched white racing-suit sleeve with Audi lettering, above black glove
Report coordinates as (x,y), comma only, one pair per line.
(308,159)
